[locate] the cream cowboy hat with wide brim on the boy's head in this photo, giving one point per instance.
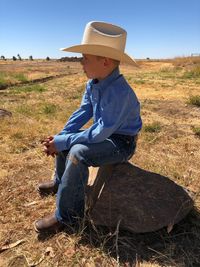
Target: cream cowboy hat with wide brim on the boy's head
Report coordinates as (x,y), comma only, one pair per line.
(103,39)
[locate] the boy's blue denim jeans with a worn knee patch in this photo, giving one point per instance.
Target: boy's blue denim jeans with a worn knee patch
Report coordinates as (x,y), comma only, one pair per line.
(72,172)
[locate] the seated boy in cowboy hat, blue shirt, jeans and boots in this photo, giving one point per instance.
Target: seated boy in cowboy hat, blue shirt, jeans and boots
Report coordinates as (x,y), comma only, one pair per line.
(116,122)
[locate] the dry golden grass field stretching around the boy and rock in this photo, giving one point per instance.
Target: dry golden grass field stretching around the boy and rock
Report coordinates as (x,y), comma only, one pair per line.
(169,92)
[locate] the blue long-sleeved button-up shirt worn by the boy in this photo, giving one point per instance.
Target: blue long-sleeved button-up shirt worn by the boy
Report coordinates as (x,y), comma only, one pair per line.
(114,107)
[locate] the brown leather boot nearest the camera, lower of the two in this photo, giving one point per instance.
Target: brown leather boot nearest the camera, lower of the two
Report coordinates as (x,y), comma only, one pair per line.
(48,223)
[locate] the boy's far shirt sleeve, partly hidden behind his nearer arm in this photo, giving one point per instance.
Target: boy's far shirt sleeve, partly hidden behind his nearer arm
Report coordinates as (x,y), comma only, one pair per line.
(80,117)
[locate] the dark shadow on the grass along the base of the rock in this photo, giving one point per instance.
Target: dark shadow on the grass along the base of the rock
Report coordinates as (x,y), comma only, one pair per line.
(180,247)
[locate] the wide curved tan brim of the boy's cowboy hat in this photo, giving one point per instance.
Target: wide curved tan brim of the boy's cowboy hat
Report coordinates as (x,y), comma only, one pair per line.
(101,50)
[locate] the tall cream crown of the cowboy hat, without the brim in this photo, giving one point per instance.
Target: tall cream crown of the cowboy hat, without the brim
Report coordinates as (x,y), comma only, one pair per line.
(105,34)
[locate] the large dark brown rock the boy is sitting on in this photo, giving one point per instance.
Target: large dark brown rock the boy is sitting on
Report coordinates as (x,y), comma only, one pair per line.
(139,200)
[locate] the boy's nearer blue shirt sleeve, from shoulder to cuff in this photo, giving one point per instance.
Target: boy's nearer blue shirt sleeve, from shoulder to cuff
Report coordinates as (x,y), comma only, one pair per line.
(113,112)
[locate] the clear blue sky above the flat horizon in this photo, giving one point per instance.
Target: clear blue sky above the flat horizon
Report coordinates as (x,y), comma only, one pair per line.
(156,28)
